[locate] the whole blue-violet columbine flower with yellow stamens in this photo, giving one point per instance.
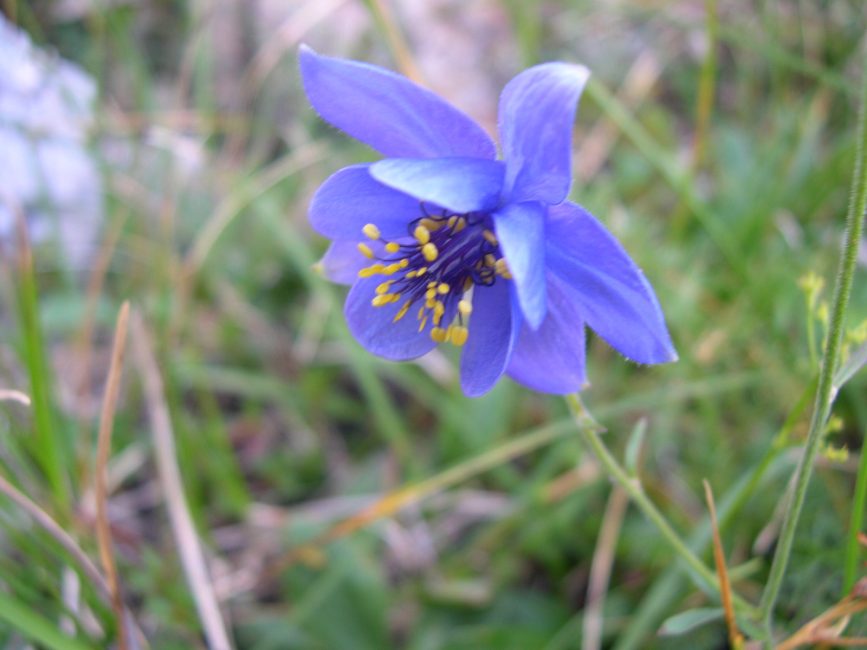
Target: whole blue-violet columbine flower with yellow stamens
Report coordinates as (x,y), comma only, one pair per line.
(442,242)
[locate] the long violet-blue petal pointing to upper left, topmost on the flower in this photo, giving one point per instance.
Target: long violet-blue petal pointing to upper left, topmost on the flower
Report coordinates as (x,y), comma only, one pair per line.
(389,112)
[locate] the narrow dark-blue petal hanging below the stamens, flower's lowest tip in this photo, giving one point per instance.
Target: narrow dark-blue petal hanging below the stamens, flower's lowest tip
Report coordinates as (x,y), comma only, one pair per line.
(494,325)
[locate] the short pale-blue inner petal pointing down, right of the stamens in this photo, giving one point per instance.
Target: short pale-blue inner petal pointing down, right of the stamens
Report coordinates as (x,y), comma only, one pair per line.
(520,229)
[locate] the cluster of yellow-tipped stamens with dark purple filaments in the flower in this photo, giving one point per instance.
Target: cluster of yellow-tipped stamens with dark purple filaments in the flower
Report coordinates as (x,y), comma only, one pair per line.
(436,266)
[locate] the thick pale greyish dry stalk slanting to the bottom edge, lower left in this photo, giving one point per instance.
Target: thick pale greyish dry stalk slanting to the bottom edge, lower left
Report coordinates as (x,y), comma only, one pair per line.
(192,557)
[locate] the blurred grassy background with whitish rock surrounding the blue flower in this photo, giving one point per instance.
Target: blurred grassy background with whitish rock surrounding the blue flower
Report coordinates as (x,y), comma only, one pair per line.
(162,152)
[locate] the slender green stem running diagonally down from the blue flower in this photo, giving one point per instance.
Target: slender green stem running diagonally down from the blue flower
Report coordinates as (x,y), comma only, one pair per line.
(589,431)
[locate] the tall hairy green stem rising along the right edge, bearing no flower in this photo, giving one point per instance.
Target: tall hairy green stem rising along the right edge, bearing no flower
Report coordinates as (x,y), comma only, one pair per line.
(824,392)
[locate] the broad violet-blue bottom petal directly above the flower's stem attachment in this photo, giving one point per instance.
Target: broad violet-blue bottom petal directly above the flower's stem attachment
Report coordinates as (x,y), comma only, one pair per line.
(551,358)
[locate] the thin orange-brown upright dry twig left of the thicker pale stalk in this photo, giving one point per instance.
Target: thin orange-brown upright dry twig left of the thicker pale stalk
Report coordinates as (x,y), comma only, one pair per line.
(103,451)
